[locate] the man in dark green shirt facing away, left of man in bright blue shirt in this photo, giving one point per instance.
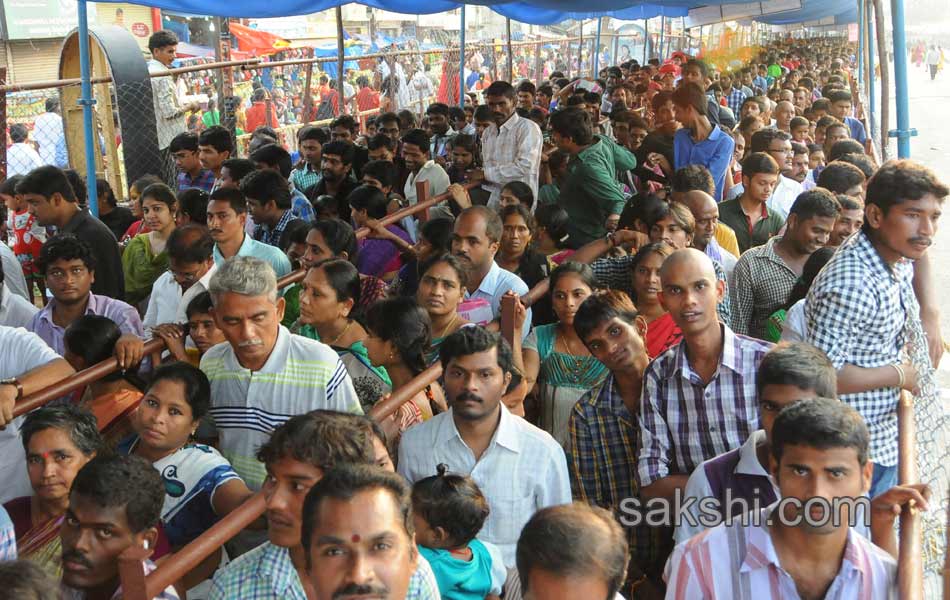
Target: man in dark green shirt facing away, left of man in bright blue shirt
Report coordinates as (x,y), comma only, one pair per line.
(590,192)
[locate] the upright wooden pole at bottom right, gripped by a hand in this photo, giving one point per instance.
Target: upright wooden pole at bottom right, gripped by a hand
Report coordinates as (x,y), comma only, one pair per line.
(910,566)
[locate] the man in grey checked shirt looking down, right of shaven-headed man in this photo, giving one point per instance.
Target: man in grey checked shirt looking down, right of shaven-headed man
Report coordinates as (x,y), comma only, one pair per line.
(765,275)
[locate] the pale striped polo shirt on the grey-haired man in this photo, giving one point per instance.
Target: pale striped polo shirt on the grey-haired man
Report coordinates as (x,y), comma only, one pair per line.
(300,375)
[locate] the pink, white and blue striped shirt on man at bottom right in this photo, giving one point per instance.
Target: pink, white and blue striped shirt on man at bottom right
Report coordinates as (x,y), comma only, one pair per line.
(740,563)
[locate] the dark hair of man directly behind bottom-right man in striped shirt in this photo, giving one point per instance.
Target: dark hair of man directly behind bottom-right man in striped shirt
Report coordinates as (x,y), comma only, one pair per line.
(798,364)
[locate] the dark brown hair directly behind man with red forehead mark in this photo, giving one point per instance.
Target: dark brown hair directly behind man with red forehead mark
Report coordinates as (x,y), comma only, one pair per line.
(320,438)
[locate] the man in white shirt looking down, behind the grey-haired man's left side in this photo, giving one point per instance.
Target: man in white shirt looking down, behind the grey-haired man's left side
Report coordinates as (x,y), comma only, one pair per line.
(191,266)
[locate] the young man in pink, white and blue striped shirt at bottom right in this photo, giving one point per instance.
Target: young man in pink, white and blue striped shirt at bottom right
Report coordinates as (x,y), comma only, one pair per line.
(819,452)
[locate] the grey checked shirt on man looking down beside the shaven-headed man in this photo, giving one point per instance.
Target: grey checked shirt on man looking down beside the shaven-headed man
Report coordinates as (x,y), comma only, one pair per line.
(761,283)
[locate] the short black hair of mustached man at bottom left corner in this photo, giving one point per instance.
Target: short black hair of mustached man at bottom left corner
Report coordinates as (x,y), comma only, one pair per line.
(123,480)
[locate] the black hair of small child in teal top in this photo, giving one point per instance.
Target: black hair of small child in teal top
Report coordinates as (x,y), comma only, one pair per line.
(453,502)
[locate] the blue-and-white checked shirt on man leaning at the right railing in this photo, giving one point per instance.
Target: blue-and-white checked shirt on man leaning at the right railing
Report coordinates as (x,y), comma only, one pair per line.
(856,312)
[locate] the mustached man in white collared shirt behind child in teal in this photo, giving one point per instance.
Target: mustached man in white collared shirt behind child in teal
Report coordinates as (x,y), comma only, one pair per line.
(519,468)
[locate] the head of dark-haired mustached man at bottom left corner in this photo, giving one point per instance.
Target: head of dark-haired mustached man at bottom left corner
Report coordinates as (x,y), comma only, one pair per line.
(115,503)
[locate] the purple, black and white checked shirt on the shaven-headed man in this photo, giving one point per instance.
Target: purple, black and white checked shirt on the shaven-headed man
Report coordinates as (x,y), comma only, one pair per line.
(683,421)
